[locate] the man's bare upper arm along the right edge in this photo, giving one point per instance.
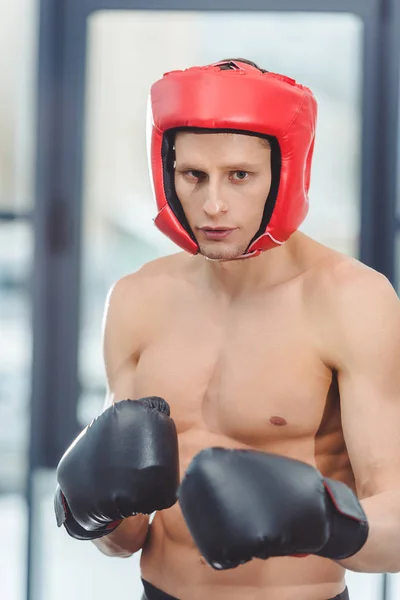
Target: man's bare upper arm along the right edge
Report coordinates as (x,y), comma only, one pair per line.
(369,384)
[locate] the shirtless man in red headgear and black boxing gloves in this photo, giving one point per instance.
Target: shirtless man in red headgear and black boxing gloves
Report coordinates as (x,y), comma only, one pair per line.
(267,362)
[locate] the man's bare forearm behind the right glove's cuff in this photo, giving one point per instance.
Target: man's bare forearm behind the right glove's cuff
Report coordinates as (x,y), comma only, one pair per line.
(381,552)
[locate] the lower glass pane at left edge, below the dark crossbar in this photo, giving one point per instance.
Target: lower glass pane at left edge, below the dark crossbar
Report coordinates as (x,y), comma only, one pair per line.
(15,371)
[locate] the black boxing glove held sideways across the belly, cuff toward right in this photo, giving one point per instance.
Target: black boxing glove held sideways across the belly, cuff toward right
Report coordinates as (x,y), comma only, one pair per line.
(242,504)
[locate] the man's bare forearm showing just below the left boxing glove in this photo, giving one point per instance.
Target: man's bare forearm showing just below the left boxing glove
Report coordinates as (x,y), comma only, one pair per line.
(128,538)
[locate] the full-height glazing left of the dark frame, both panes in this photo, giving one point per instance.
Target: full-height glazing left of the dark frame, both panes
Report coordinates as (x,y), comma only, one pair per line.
(18,70)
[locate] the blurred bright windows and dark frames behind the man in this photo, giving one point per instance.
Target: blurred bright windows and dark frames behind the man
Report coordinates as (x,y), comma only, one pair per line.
(76,214)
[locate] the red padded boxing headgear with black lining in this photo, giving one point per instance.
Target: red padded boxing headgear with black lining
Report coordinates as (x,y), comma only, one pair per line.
(234,97)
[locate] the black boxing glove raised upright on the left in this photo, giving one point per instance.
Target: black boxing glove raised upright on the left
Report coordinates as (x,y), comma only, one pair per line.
(124,463)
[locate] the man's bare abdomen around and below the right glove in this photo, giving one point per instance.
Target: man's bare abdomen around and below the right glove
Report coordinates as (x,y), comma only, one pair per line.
(171,561)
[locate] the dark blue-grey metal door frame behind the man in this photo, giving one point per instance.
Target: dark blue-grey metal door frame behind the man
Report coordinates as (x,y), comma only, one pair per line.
(58,212)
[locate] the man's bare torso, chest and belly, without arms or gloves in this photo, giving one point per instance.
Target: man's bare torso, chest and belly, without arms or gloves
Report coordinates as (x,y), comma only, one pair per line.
(247,373)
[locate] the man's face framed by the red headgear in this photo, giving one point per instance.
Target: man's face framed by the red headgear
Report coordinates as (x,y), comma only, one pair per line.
(222,181)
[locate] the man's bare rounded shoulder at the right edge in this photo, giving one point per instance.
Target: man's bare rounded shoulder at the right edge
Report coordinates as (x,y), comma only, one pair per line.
(350,306)
